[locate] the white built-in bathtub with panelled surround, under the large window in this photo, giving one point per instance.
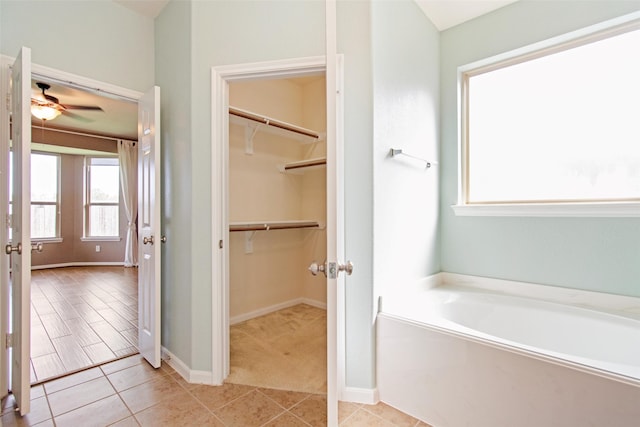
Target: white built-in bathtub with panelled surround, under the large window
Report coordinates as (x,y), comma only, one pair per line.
(458,355)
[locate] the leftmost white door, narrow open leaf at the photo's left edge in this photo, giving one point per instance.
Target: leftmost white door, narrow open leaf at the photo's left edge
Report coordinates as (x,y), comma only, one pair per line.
(20,247)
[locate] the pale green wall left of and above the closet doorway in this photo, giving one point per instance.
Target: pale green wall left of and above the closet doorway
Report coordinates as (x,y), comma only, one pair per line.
(211,33)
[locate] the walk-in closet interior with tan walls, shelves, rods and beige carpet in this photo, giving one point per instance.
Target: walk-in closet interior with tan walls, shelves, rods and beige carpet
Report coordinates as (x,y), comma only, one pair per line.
(277,216)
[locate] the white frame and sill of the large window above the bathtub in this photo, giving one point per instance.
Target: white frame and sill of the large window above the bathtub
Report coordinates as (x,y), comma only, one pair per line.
(561,43)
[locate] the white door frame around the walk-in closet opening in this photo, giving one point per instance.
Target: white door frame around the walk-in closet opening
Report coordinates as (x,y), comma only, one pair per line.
(220,79)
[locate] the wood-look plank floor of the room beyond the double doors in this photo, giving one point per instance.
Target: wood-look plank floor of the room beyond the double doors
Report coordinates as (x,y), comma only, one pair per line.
(81,317)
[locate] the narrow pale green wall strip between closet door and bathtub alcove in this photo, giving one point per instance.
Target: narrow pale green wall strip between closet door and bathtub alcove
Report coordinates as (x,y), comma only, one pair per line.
(354,42)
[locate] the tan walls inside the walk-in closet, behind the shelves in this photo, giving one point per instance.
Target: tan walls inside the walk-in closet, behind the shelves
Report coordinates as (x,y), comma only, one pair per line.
(276,271)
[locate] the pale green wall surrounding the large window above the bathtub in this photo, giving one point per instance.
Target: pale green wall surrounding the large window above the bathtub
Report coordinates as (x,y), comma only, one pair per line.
(598,254)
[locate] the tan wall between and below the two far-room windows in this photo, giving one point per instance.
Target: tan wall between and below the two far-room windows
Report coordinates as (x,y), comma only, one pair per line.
(72,249)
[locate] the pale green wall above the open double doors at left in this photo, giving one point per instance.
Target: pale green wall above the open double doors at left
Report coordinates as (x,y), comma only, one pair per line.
(98,39)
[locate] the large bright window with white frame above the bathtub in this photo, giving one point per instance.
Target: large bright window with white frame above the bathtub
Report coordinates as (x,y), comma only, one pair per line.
(553,129)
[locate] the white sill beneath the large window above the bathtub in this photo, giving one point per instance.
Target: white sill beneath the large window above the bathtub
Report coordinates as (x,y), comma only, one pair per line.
(605,209)
